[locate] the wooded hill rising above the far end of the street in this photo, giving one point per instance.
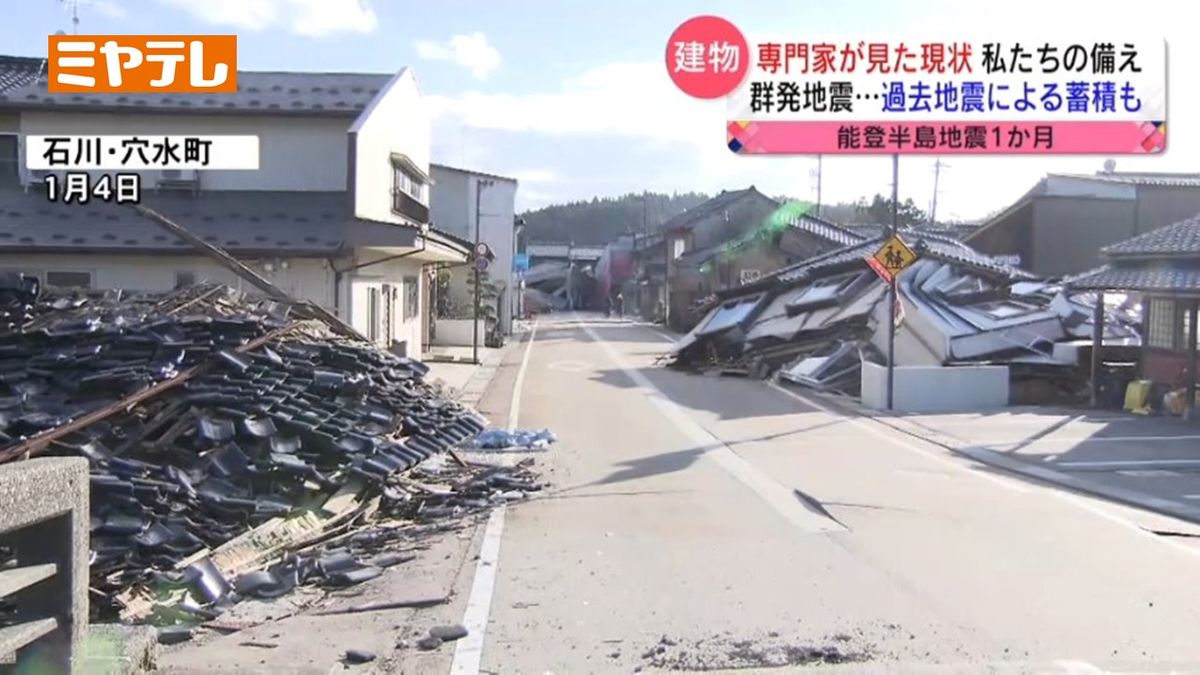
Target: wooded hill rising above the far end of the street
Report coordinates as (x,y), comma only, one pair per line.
(604,219)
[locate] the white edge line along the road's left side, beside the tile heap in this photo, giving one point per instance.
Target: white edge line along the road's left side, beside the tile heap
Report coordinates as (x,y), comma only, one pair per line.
(469,652)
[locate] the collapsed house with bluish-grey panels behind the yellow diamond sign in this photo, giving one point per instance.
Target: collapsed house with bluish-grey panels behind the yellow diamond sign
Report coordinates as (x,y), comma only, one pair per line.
(819,321)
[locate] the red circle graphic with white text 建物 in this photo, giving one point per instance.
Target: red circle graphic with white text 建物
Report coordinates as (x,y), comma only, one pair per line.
(707,57)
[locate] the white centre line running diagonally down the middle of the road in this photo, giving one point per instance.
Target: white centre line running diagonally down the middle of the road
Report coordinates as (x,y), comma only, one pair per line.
(782,499)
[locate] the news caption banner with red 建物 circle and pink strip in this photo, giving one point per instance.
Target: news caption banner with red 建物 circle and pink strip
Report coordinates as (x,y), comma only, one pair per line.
(991,97)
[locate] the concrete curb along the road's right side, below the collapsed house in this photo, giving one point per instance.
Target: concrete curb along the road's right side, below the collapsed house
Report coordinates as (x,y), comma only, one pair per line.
(999,461)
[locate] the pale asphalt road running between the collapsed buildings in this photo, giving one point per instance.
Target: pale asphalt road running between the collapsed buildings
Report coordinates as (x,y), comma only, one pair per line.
(713,522)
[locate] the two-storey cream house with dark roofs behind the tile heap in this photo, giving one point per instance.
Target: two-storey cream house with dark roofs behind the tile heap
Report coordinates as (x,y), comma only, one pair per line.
(338,212)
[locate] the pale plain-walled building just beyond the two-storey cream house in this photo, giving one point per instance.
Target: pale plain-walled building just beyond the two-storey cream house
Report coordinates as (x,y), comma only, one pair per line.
(455,194)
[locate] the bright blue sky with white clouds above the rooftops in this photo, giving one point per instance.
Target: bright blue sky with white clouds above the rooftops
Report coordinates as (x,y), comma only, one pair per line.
(573,98)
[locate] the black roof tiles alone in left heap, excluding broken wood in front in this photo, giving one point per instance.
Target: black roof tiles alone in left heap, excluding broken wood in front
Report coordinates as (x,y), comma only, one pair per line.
(253,437)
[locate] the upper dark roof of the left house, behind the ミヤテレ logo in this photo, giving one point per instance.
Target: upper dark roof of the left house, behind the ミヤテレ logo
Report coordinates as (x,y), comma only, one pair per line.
(284,93)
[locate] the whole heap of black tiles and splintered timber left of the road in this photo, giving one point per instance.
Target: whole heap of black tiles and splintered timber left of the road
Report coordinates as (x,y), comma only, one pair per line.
(238,451)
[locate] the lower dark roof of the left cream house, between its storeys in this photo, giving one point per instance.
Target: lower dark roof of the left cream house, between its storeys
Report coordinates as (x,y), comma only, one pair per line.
(247,223)
